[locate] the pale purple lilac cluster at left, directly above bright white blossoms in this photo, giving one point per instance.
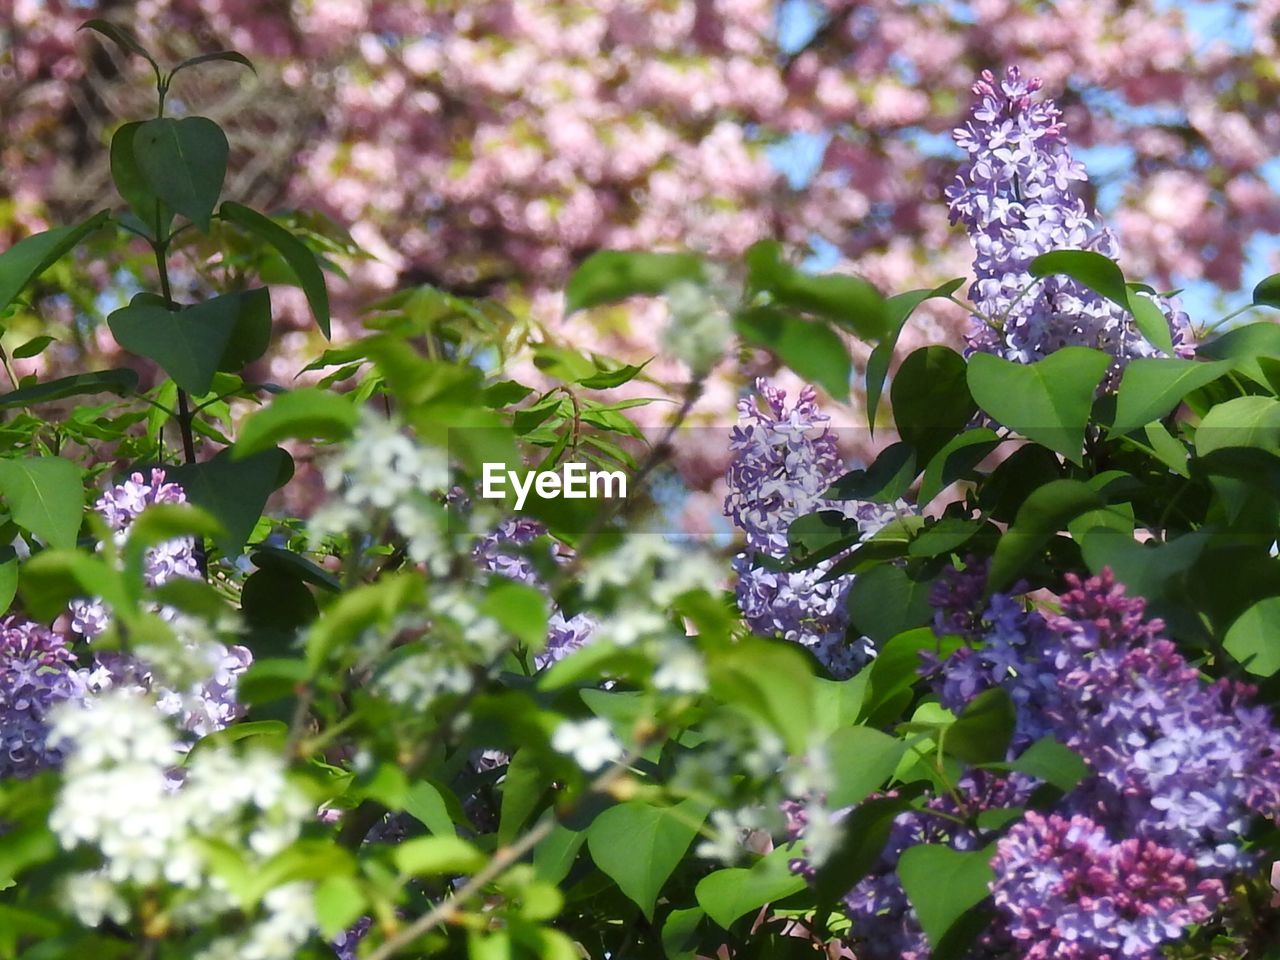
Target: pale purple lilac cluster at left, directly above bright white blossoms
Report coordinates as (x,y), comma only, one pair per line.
(207,706)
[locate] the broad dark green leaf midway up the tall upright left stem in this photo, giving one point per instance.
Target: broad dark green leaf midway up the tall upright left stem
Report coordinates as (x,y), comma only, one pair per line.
(188,345)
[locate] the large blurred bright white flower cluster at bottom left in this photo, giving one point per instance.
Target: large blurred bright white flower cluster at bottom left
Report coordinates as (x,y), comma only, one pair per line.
(125,798)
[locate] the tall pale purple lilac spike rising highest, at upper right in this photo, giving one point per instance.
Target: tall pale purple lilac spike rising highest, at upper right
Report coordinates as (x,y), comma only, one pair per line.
(1014,196)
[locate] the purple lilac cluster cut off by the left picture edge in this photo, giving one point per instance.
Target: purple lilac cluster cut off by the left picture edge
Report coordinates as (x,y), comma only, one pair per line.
(36,674)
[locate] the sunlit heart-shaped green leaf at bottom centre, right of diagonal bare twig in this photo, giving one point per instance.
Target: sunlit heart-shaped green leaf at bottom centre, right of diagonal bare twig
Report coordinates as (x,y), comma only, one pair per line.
(639,845)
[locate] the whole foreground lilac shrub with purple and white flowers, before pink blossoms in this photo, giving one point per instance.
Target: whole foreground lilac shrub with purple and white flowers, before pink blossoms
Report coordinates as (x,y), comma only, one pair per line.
(1003,693)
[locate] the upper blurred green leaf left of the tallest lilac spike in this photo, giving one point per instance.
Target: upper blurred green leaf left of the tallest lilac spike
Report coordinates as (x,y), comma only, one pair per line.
(851,303)
